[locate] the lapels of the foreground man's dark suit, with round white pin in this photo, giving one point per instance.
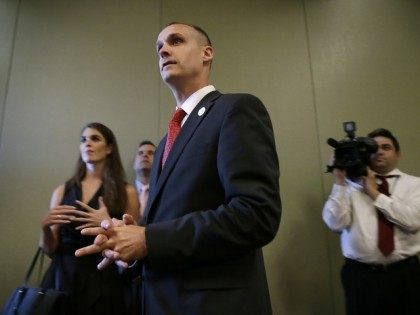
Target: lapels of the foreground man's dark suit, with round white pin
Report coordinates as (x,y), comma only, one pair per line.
(159,175)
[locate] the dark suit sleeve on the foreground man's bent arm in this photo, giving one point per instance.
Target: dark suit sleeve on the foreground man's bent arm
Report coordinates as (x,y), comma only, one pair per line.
(249,216)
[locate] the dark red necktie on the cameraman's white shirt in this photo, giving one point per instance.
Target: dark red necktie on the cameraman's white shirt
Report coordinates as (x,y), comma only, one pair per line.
(385,227)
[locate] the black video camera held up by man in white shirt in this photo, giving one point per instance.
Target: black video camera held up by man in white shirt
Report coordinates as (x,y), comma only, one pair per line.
(352,154)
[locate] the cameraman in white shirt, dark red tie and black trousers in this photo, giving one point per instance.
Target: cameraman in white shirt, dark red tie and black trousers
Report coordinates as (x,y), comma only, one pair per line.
(377,281)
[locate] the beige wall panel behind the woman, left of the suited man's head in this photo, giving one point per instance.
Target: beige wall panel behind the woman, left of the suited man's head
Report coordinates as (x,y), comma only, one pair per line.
(74,62)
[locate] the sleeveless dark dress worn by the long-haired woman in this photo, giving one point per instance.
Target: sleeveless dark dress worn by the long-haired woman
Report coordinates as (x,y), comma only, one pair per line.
(91,291)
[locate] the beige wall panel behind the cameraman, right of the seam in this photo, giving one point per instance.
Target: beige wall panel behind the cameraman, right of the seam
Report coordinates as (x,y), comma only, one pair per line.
(366,68)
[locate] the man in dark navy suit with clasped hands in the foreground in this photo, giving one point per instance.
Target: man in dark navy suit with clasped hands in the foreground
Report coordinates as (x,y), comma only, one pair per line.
(214,199)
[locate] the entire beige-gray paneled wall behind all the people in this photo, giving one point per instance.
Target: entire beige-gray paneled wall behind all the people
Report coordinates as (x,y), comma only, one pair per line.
(313,63)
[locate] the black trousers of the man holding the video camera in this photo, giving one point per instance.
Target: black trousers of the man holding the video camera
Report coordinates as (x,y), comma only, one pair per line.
(377,289)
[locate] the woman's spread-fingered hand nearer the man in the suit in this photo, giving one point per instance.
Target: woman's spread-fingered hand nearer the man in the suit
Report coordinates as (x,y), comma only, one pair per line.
(92,217)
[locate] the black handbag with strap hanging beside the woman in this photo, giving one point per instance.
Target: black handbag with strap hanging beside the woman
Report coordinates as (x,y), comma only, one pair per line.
(26,300)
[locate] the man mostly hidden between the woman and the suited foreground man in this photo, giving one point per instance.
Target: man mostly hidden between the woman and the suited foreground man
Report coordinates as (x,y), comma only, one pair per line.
(142,166)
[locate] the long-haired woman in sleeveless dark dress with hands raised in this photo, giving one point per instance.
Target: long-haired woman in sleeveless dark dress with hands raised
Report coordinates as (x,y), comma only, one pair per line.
(98,183)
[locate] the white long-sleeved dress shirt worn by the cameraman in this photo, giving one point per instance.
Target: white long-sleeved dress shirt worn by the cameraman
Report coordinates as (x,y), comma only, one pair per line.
(353,213)
